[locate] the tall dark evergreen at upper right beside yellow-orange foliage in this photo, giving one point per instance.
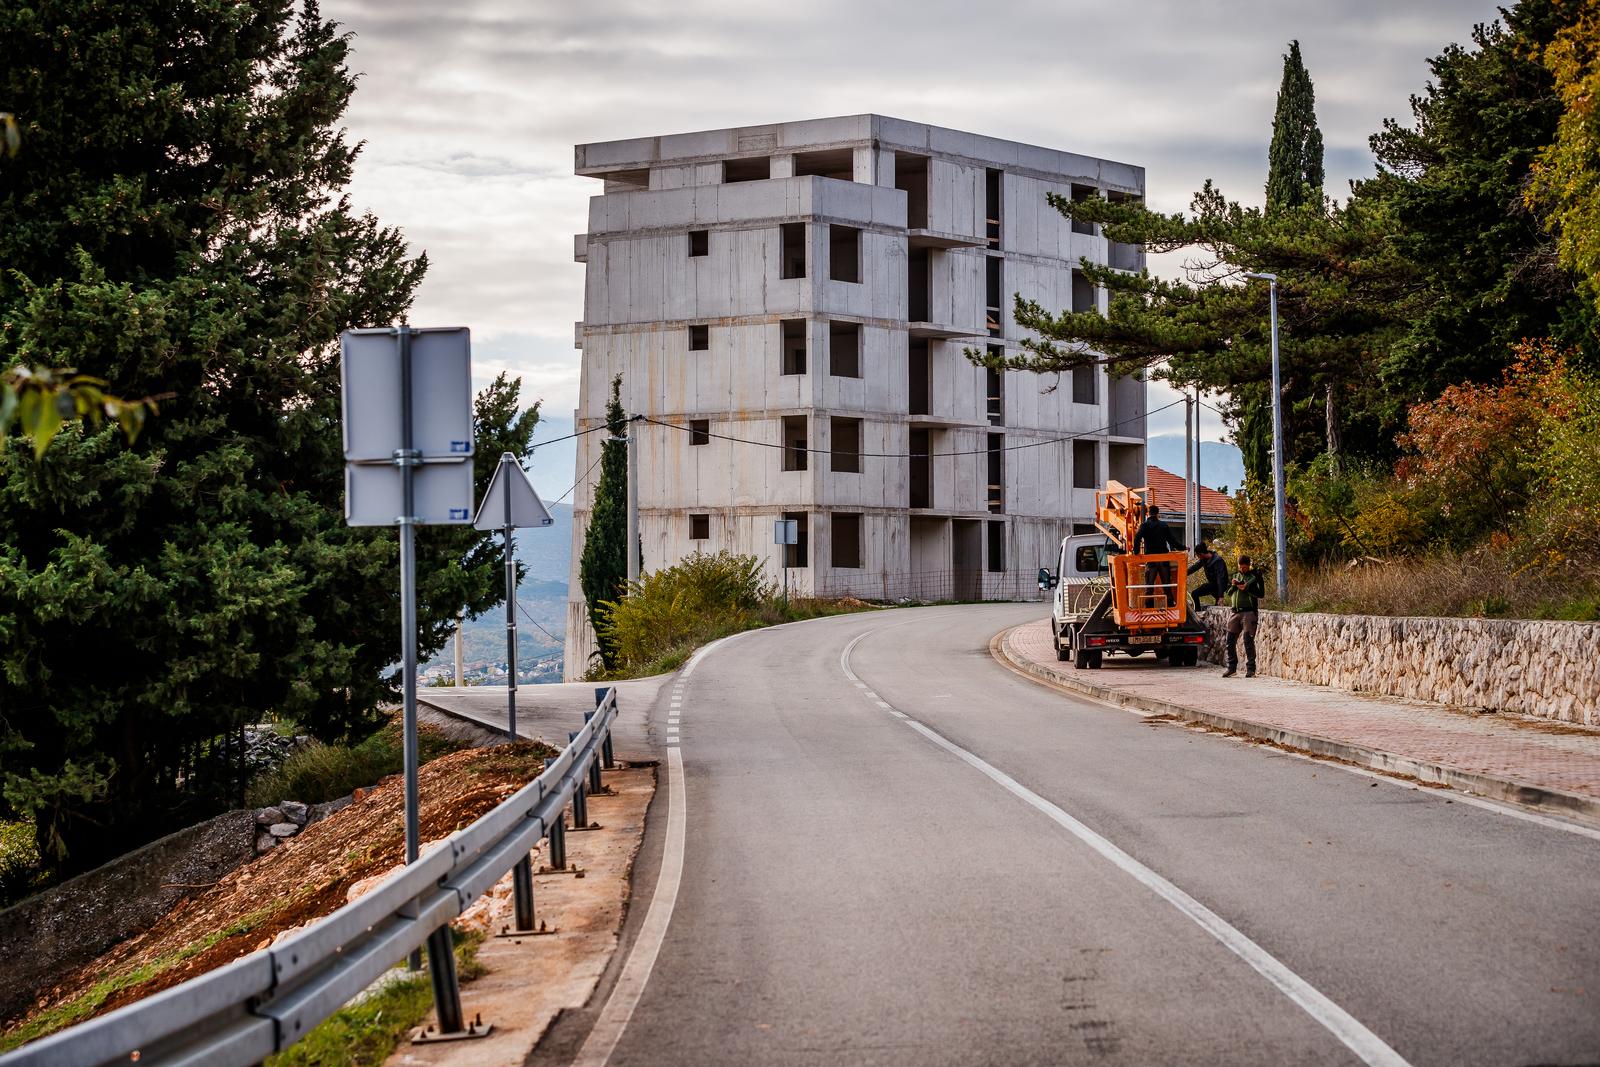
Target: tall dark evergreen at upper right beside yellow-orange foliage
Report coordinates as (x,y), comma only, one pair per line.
(1455,183)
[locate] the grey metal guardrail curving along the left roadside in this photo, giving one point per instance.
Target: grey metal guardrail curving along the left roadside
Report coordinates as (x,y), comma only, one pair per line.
(241,1013)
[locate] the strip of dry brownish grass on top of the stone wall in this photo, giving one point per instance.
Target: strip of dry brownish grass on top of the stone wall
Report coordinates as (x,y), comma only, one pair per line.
(1471,585)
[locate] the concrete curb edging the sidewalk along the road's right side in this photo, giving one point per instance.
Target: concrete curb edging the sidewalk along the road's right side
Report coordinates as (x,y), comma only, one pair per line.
(1550,801)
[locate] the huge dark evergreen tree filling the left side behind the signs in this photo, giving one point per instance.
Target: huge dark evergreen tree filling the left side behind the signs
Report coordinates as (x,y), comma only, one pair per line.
(177,225)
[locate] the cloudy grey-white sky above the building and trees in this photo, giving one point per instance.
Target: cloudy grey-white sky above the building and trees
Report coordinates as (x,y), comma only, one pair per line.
(471,111)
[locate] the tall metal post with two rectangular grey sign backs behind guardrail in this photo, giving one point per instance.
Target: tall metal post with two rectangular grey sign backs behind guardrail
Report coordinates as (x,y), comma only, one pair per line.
(407,406)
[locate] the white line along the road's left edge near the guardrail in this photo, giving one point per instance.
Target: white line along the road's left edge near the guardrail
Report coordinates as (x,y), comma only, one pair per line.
(620,1007)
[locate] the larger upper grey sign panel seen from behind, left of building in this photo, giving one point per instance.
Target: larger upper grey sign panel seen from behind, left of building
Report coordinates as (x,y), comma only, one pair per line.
(441,393)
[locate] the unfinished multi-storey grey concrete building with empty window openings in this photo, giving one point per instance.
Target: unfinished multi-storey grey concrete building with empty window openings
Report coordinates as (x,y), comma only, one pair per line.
(794,303)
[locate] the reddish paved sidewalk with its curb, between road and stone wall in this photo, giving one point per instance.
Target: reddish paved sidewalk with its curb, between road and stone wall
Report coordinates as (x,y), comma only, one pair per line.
(1508,757)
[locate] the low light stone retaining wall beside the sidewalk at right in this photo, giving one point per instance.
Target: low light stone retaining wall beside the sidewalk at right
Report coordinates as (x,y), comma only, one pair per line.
(1546,669)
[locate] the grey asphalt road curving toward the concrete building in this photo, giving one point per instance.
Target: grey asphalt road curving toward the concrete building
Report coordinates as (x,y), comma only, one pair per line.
(1014,876)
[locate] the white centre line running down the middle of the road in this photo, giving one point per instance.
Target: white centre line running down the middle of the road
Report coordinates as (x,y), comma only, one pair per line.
(1367,1045)
